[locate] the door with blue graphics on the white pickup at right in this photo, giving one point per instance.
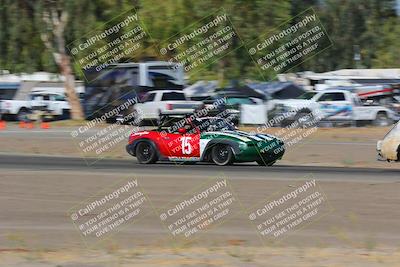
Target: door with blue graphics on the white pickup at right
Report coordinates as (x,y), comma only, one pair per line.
(335,106)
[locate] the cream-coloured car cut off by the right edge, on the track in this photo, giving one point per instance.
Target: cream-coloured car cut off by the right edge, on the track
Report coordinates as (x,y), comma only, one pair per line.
(389,147)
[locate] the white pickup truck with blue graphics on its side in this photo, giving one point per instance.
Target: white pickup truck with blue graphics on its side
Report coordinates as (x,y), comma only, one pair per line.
(334,106)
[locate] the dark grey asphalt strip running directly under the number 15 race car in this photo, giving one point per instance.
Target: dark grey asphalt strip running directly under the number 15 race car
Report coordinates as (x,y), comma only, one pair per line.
(245,171)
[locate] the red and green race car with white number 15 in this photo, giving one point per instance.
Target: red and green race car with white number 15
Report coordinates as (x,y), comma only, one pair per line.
(209,139)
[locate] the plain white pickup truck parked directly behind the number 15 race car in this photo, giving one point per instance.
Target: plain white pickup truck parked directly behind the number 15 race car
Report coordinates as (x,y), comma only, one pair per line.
(162,101)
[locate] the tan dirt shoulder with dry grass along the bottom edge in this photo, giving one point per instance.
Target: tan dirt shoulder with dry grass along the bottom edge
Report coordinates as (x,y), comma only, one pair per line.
(212,256)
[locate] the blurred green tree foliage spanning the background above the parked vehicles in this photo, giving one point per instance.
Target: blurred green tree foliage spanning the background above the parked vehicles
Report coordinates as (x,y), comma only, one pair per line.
(370,25)
